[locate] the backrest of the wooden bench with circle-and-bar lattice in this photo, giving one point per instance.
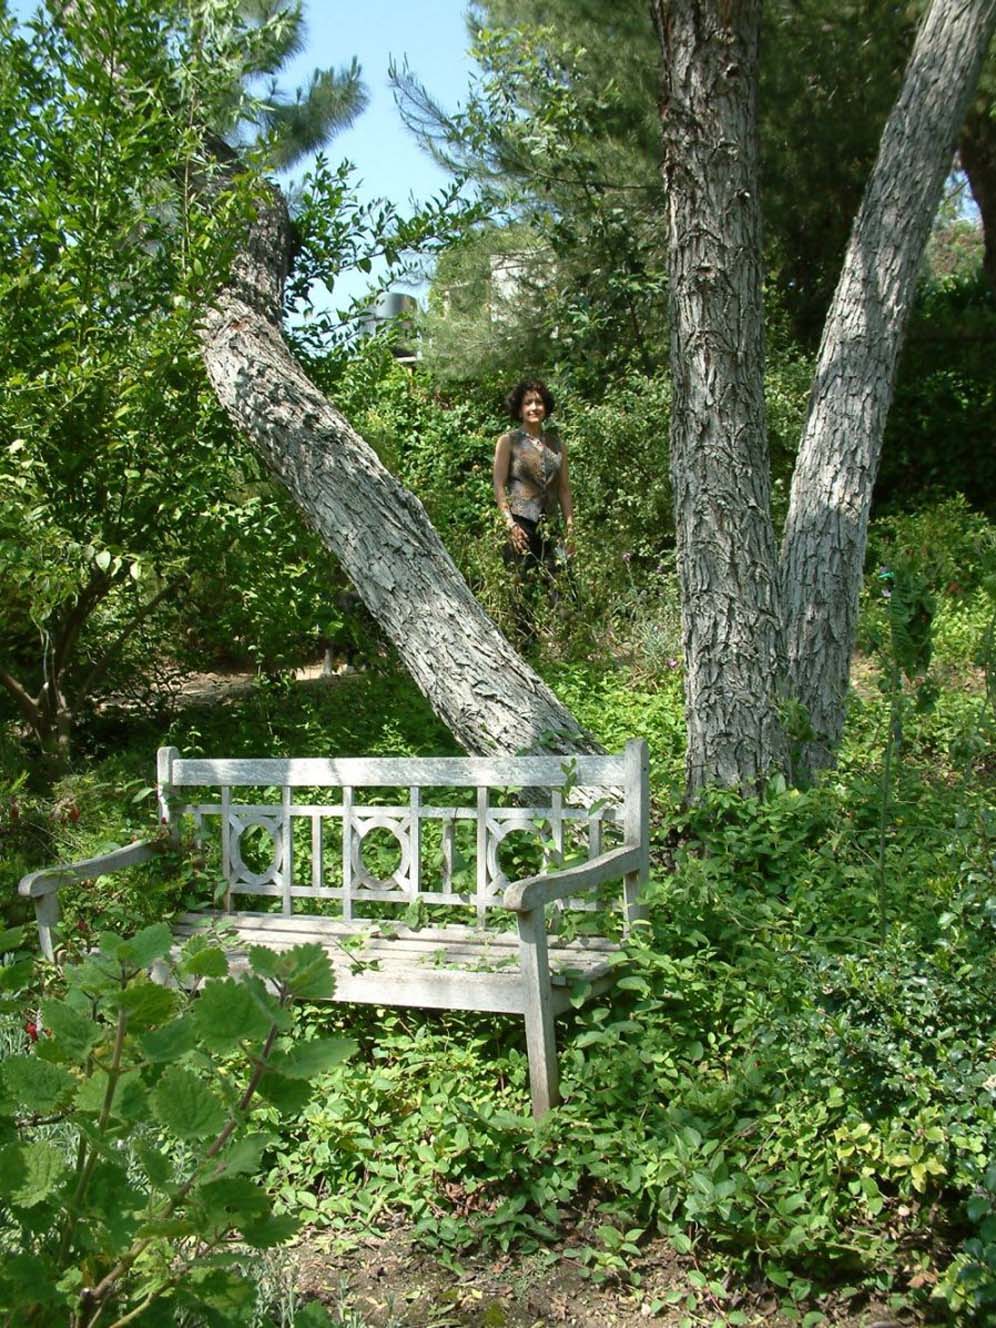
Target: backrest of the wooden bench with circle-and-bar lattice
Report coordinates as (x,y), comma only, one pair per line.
(310,821)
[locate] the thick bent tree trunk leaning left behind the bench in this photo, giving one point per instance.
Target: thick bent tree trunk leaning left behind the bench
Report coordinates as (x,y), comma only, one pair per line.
(477,685)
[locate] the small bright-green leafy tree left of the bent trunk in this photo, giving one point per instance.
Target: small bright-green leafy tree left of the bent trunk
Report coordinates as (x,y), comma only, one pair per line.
(124,485)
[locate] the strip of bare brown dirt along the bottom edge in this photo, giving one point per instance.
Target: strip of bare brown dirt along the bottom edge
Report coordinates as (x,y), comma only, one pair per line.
(388,1282)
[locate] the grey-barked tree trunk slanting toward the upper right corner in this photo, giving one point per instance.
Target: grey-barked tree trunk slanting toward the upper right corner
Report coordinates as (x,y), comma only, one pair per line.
(827,529)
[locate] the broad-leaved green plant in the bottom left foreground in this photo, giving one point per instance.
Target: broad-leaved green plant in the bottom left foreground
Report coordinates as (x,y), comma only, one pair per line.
(127,1167)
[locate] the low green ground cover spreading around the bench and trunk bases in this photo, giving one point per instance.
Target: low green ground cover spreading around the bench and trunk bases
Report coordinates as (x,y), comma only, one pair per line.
(795,1080)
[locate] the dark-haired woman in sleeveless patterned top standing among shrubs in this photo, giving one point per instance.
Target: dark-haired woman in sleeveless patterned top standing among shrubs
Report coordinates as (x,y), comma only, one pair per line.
(531,480)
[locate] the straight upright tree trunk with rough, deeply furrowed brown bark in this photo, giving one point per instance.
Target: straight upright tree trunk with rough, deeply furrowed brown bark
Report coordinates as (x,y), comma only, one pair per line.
(719,450)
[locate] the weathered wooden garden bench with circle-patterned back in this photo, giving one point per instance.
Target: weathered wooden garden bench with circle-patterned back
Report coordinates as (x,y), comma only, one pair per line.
(446,925)
